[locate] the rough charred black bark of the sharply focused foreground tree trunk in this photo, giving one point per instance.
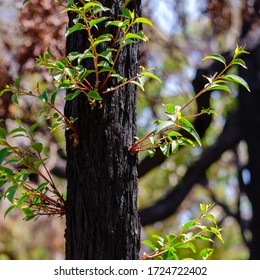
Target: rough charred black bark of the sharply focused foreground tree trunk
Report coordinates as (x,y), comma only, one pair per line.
(102,219)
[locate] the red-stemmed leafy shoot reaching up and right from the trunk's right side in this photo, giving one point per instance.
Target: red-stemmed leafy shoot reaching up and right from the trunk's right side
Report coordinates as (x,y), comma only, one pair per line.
(167,135)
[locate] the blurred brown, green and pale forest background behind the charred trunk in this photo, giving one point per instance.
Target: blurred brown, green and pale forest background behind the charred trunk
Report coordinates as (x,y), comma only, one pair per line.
(224,171)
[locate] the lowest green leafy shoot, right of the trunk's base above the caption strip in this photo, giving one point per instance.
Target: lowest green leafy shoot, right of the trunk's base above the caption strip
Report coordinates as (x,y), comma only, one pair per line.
(170,248)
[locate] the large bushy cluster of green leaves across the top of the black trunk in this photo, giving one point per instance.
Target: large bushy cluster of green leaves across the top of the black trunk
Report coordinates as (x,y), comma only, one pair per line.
(101,55)
